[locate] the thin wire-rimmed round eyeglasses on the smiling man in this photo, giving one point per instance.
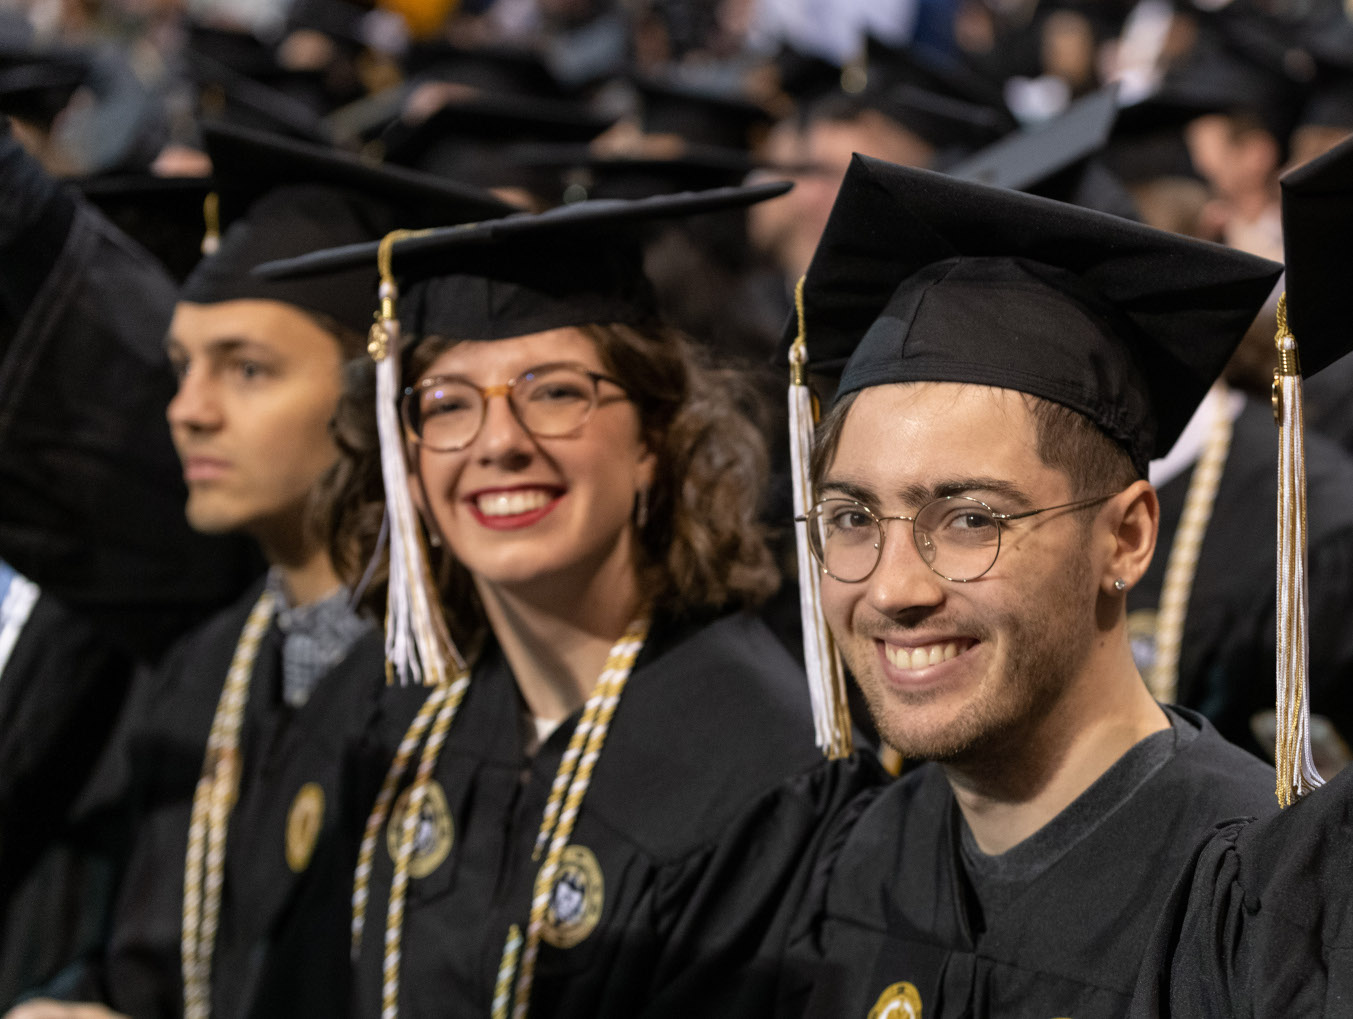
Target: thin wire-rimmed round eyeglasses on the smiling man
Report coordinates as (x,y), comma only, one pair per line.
(959,538)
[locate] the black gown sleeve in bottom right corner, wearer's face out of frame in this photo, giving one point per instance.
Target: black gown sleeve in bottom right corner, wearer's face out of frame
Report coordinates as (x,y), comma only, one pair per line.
(1263,922)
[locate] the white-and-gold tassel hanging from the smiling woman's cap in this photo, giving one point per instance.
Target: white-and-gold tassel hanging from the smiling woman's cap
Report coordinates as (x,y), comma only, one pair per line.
(419,646)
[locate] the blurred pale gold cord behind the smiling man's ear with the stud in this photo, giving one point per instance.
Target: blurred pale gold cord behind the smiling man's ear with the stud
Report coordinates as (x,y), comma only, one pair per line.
(1182,568)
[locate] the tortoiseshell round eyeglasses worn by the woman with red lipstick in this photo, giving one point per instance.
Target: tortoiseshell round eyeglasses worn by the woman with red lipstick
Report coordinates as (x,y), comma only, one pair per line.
(446,412)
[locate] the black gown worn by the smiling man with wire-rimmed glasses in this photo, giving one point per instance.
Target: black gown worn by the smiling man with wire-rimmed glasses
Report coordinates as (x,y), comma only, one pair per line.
(895,906)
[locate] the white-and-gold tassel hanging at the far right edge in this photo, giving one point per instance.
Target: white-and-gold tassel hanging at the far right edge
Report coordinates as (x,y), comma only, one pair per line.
(1297,775)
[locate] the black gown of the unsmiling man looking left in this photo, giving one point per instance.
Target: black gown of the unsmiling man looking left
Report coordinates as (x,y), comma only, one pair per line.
(282,948)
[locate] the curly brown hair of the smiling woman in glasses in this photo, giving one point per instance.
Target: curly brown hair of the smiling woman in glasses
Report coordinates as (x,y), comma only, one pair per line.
(703,546)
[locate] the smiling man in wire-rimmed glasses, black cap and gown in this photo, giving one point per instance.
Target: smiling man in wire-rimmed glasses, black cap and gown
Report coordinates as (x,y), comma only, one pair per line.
(1010,367)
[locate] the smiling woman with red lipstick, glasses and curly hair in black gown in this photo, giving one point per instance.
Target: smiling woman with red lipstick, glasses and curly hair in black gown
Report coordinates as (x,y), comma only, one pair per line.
(593,830)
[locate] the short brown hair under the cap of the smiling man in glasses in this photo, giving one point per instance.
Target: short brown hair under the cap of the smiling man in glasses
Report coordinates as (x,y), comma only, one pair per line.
(1065,440)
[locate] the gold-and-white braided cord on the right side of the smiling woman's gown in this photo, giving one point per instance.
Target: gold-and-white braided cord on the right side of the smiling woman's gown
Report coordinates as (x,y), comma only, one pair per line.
(562,809)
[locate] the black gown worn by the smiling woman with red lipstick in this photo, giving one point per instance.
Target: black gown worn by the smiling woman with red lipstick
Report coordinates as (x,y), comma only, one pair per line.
(707,796)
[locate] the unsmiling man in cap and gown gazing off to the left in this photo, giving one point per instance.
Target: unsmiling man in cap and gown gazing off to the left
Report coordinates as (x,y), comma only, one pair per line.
(235,768)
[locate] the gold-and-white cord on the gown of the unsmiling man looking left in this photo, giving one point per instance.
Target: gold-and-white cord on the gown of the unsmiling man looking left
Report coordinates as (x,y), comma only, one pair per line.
(212,805)
